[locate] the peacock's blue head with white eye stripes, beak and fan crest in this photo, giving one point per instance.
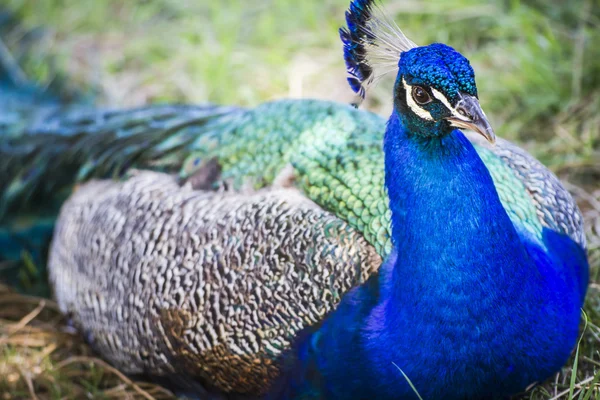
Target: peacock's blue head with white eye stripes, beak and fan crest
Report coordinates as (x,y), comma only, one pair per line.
(435,90)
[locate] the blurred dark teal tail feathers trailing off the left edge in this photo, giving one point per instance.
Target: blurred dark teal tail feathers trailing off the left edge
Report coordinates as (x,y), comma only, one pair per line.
(50,140)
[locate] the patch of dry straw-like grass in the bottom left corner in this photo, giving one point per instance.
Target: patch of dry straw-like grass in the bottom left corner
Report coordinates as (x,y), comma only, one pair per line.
(42,358)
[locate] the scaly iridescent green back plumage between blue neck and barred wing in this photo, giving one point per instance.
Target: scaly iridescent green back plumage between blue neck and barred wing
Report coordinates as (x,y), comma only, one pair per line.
(330,151)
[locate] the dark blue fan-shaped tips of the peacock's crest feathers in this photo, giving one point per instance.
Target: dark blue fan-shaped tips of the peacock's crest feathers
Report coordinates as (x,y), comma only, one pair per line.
(354,37)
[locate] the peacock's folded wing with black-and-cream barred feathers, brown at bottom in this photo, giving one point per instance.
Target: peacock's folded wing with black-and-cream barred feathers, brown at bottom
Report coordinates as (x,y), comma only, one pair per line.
(163,278)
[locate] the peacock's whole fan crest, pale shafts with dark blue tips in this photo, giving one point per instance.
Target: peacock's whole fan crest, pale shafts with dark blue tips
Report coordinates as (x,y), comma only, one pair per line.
(372,44)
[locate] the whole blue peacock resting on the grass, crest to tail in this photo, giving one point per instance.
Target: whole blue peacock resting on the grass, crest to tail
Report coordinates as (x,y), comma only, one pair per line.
(304,248)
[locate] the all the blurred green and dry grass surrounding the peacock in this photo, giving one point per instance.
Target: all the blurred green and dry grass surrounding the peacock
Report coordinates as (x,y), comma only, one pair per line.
(538,71)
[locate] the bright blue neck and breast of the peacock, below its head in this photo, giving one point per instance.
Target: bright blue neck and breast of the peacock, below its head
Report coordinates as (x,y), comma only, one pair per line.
(454,304)
